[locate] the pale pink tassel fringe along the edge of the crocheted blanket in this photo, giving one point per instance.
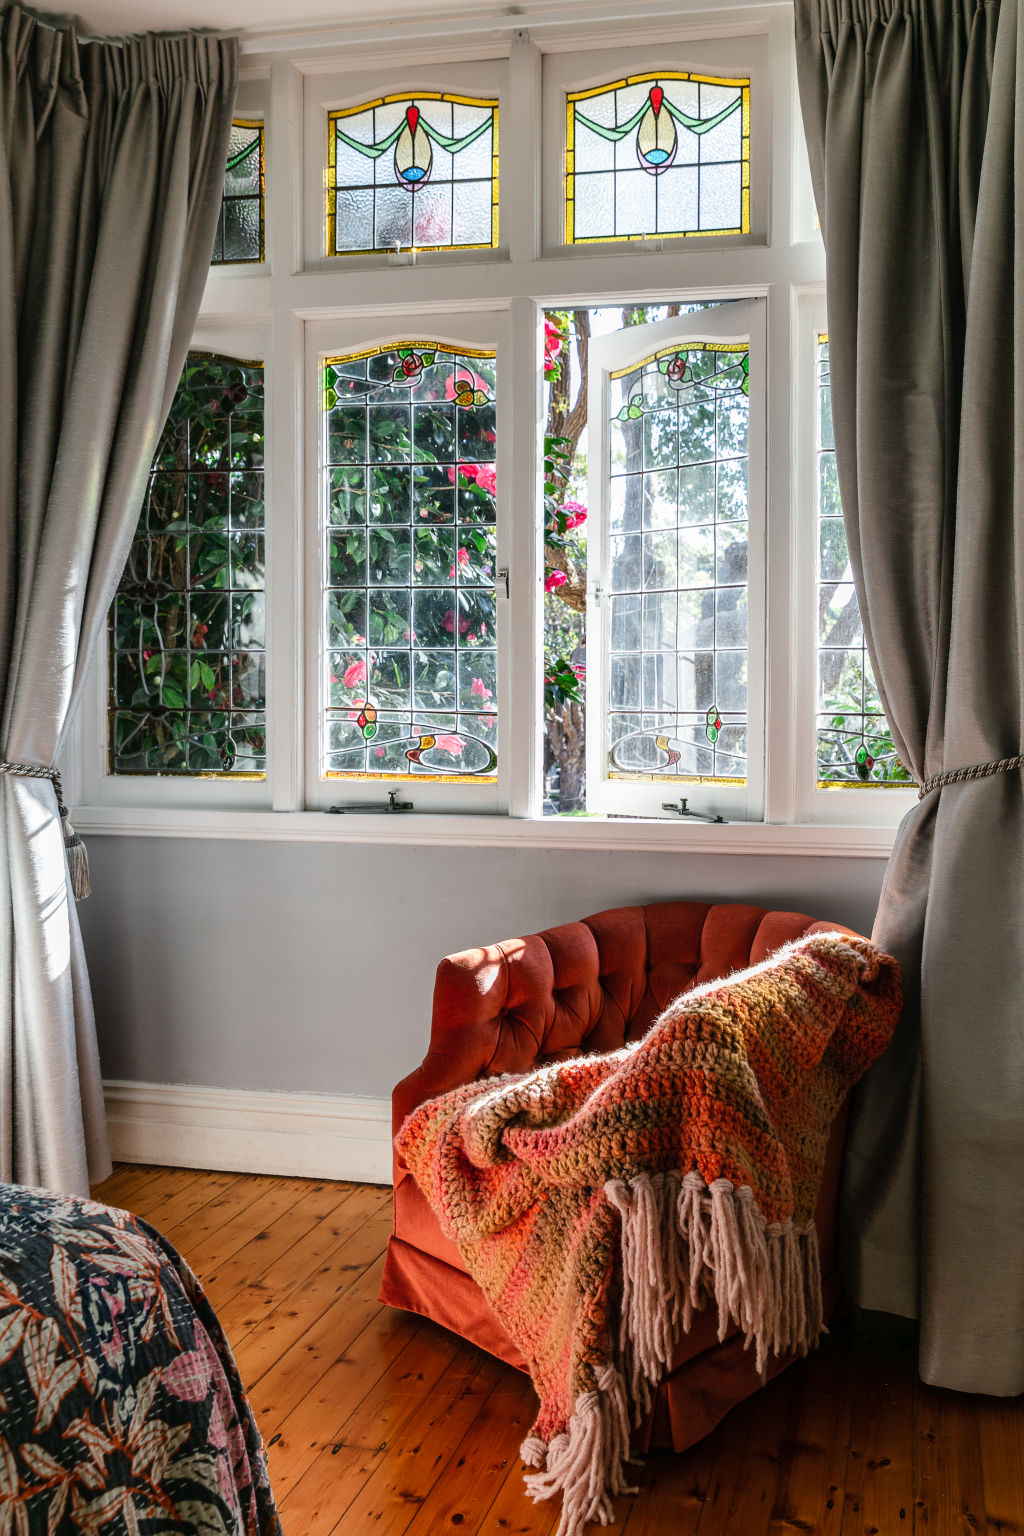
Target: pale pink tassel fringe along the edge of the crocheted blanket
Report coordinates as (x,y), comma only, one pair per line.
(765,1277)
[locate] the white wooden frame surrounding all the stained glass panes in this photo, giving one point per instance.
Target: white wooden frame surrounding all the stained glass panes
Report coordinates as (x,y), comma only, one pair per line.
(300,290)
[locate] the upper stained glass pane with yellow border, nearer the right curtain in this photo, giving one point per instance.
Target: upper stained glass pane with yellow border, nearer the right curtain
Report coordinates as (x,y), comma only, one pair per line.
(659,154)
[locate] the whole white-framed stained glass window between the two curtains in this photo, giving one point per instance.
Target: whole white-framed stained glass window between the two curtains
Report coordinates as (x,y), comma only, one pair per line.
(550,531)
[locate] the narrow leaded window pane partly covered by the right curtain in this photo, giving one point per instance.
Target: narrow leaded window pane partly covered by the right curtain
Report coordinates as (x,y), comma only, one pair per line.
(856,746)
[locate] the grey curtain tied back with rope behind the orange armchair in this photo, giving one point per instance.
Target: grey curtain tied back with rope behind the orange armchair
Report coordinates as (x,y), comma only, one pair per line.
(914,113)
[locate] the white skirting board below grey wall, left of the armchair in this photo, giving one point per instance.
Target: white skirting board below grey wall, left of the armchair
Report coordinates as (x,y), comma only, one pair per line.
(308,1136)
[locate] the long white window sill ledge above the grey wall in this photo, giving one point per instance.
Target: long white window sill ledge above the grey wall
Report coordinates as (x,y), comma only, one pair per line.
(489,832)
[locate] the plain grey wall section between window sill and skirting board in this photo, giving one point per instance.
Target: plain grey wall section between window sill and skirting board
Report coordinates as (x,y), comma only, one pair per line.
(309,967)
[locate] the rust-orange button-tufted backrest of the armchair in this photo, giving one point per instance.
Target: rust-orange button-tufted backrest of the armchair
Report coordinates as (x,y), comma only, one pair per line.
(583,987)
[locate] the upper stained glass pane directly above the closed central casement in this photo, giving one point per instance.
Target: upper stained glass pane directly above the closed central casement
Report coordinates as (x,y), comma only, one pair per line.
(412,171)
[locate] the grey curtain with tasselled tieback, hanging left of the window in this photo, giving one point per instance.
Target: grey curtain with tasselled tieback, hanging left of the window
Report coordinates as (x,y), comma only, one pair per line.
(111,168)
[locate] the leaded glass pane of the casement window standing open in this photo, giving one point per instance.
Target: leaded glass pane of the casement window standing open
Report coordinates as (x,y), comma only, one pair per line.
(678,566)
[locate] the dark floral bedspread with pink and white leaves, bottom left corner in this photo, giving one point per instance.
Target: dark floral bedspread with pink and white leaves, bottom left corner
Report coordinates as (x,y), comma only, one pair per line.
(122,1412)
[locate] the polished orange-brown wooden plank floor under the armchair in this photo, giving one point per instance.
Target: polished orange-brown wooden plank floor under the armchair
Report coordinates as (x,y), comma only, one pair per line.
(382,1423)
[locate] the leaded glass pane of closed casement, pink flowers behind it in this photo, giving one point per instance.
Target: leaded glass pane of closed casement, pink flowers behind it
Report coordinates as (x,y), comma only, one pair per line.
(409,640)
